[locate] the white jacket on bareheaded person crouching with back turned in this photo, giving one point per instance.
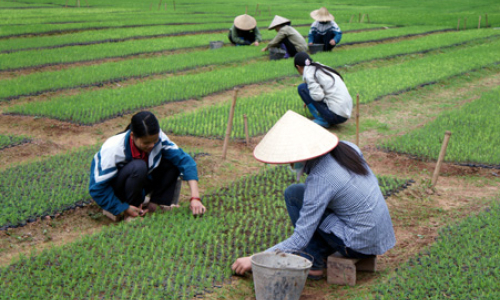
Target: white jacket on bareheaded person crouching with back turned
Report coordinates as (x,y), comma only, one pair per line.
(323,88)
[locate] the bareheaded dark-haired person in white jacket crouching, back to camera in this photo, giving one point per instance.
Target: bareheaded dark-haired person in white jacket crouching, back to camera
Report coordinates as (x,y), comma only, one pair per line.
(324,92)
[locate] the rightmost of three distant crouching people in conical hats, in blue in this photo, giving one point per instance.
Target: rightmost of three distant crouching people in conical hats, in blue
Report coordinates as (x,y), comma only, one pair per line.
(324,30)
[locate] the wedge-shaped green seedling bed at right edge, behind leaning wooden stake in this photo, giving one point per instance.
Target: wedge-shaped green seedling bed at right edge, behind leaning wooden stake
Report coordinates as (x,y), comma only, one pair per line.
(475,138)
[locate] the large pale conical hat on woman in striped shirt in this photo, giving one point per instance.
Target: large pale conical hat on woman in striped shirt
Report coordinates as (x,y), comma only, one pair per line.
(294,138)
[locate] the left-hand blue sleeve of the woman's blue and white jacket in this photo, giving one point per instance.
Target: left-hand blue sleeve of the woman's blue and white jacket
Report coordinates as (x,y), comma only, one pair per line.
(103,194)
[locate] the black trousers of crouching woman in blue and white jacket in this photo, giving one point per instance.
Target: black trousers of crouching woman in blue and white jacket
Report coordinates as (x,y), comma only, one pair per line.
(133,182)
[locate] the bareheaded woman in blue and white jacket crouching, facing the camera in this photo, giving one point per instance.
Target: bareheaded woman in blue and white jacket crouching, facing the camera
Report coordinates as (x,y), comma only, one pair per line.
(139,161)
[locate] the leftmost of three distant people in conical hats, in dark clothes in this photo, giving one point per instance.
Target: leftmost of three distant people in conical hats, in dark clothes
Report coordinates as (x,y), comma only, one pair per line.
(244,31)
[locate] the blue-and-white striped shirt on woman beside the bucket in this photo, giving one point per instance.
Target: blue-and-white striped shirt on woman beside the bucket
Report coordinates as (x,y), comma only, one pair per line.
(355,207)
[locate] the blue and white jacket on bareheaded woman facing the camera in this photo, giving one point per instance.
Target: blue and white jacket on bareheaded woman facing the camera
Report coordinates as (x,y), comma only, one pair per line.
(116,151)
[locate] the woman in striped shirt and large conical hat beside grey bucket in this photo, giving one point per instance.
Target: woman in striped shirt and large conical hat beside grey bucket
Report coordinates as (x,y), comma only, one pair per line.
(340,208)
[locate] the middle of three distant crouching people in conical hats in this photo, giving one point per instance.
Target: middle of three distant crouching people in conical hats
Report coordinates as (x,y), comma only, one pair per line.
(287,37)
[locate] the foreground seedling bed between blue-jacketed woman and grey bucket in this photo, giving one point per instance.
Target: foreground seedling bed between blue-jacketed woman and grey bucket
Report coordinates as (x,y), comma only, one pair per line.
(163,256)
